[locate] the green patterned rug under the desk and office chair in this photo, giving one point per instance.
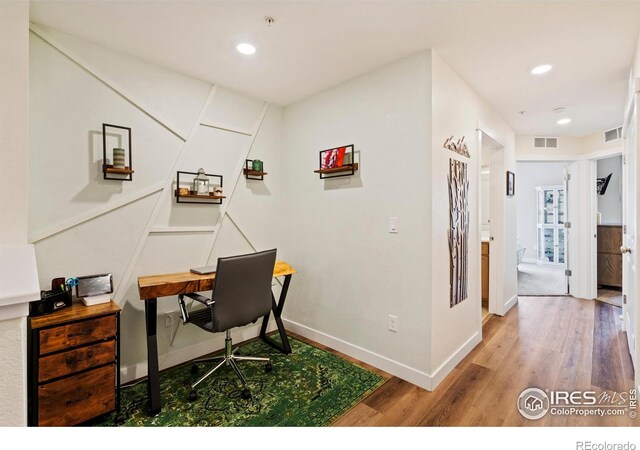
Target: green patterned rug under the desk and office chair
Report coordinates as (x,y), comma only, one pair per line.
(309,387)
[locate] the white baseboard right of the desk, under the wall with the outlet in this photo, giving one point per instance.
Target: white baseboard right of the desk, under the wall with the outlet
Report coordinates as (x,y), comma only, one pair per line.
(382,362)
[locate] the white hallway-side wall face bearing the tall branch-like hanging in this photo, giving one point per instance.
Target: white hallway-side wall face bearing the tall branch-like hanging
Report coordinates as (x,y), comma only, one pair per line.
(459,111)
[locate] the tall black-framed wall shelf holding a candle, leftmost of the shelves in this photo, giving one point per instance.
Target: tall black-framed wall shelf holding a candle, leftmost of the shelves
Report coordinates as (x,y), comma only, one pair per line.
(119,140)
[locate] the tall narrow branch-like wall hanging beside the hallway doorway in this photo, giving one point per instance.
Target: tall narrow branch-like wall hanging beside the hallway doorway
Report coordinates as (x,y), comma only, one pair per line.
(458,230)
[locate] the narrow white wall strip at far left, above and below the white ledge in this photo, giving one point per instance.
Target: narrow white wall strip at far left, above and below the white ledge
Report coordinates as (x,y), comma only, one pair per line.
(14,122)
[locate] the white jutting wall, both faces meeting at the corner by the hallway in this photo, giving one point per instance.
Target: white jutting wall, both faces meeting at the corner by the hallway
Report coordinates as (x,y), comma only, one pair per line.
(354,273)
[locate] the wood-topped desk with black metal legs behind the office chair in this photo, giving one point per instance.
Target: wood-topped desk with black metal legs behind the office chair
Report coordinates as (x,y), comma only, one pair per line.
(154,286)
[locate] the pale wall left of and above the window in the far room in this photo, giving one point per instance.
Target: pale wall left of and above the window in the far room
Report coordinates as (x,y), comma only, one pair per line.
(531,175)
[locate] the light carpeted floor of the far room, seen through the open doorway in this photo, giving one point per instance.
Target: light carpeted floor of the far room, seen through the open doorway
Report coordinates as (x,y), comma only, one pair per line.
(541,279)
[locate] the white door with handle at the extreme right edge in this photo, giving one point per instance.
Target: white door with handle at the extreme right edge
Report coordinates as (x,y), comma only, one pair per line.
(629,247)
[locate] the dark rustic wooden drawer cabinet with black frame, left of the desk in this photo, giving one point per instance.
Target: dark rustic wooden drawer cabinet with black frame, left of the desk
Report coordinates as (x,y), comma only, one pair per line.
(74,364)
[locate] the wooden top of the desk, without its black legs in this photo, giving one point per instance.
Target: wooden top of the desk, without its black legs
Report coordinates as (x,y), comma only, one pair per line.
(154,286)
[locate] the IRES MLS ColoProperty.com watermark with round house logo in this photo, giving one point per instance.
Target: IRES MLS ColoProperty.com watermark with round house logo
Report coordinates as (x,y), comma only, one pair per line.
(534,403)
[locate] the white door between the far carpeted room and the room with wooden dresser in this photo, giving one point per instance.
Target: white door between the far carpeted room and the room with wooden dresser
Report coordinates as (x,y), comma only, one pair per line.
(580,233)
